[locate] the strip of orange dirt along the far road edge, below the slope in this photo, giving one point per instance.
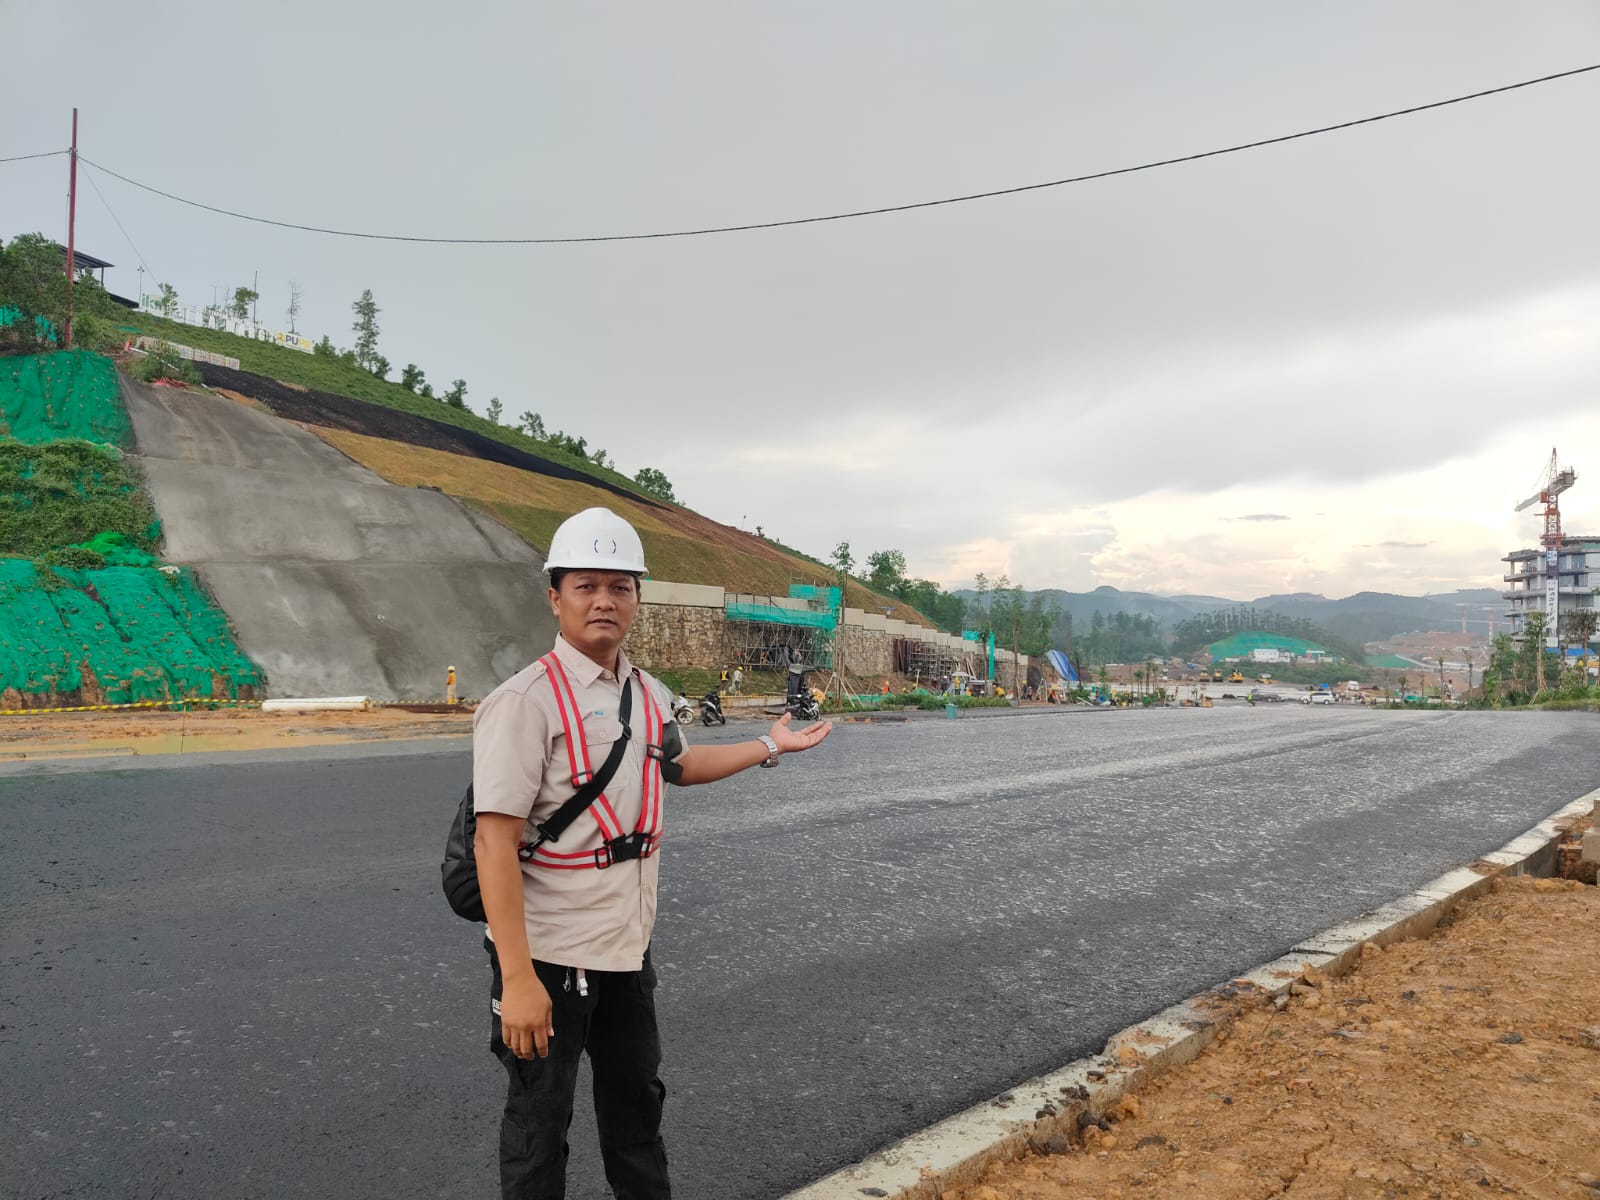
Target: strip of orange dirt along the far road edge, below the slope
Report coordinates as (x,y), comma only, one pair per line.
(70,735)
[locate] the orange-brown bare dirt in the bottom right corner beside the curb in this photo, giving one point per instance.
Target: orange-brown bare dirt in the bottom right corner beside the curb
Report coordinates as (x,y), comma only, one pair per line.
(1465,1065)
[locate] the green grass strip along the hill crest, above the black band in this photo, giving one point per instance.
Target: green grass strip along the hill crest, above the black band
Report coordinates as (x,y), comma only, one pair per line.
(330,375)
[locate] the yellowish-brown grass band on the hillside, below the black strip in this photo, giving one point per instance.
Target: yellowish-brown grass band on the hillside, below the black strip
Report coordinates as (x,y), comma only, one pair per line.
(681,546)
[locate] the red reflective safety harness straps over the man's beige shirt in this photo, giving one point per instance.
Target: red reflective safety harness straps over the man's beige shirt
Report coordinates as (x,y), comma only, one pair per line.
(618,847)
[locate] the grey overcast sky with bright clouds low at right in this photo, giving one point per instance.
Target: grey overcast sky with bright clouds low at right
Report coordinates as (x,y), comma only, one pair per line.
(1330,366)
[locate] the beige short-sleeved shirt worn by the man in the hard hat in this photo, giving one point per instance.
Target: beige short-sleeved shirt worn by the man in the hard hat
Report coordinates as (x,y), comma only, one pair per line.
(598,919)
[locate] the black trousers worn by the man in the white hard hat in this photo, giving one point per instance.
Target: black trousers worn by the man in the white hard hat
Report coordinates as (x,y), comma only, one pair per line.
(617,1026)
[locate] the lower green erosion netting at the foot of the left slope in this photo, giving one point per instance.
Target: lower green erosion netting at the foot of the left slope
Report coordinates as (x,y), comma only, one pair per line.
(113,636)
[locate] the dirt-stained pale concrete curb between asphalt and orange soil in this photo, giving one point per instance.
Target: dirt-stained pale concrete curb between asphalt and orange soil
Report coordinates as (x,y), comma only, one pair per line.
(958,1151)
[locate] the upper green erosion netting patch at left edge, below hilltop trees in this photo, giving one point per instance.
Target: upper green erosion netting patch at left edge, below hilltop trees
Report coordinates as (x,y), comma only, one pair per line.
(68,394)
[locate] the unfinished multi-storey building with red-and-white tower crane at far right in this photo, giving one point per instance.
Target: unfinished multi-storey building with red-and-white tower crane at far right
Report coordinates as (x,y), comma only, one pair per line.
(1562,575)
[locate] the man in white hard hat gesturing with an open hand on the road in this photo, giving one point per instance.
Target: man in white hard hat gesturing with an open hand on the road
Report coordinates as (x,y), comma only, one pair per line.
(570,921)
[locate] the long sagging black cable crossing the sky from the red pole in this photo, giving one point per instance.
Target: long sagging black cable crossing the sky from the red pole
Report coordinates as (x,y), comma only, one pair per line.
(860,212)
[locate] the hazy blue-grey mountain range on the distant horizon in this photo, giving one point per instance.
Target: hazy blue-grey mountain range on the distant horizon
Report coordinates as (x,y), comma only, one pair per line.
(1366,617)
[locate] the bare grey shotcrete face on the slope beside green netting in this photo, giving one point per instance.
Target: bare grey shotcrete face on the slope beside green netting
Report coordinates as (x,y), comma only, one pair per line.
(337,582)
